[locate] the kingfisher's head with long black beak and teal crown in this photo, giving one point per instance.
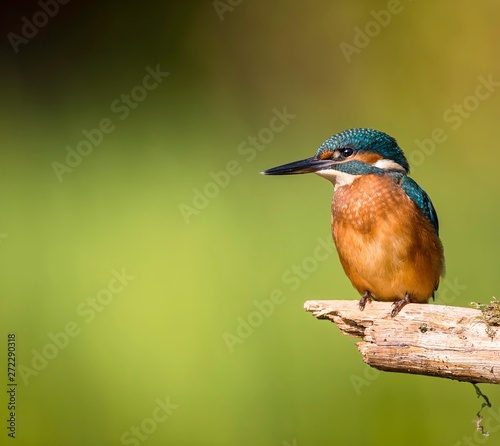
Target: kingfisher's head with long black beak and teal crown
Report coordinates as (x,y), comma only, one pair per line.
(349,154)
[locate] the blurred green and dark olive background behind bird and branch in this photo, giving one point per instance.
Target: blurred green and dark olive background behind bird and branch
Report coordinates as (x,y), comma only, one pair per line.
(98,359)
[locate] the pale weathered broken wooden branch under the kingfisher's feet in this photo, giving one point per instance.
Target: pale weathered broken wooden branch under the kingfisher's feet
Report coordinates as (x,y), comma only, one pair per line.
(435,340)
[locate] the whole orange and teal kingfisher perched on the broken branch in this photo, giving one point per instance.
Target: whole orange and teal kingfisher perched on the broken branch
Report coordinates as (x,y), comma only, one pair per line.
(384,225)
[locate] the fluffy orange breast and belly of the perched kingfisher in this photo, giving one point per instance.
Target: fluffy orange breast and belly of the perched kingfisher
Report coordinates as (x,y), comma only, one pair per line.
(385,243)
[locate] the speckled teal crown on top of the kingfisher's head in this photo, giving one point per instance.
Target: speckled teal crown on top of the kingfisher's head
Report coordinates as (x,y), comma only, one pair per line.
(366,140)
